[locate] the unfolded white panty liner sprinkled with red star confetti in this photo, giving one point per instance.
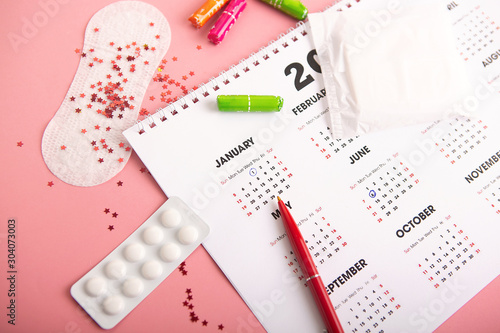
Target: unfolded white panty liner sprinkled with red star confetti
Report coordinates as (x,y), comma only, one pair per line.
(124,42)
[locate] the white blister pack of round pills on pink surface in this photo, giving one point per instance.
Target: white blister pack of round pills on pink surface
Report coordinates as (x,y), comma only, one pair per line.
(116,285)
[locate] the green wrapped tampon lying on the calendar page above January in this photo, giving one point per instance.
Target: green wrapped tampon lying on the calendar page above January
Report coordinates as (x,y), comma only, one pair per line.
(250,103)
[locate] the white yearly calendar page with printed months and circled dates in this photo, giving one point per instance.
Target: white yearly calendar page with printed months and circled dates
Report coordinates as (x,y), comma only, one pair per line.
(401,224)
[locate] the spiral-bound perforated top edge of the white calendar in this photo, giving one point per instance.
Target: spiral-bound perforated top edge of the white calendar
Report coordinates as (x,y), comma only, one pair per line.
(235,71)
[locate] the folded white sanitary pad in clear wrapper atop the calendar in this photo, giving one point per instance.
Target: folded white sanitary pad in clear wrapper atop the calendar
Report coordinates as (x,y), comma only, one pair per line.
(390,67)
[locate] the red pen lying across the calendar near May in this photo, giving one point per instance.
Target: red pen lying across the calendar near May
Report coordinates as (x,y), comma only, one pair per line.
(310,271)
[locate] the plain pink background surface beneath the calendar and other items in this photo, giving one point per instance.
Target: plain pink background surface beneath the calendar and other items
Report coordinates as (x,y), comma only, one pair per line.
(62,230)
